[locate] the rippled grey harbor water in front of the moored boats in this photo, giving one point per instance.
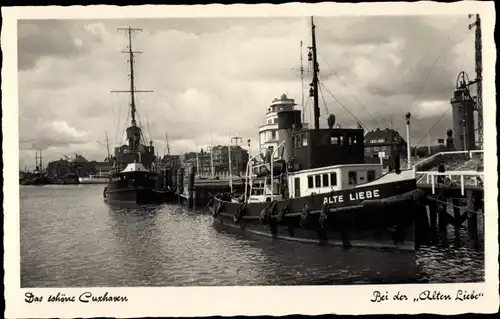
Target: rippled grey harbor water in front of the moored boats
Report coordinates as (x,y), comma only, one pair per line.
(71,238)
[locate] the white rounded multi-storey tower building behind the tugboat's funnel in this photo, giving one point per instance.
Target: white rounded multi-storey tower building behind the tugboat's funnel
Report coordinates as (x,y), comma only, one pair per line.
(268,133)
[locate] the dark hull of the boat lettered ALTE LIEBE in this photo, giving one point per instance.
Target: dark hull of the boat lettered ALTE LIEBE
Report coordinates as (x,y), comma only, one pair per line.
(386,220)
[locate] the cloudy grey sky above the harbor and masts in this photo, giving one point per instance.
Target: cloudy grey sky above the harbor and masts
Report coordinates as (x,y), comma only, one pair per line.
(214,78)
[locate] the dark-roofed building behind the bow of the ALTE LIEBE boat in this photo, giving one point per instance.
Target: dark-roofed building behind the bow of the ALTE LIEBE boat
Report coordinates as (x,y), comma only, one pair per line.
(383,142)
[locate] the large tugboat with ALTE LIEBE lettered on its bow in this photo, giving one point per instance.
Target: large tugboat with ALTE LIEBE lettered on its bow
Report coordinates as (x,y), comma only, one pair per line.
(320,190)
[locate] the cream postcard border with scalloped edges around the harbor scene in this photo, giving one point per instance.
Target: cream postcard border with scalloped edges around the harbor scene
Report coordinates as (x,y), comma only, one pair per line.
(282,300)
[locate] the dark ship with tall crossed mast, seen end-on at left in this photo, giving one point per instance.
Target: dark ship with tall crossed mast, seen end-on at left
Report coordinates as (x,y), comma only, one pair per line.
(133,177)
